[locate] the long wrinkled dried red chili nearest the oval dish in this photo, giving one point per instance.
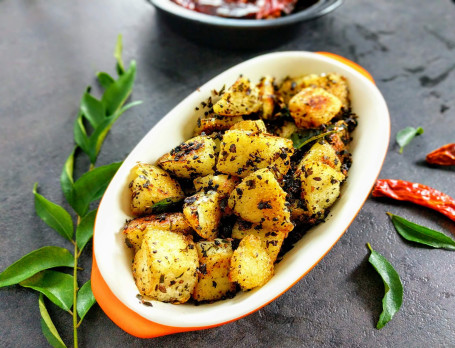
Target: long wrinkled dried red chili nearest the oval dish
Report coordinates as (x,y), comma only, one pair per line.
(416,193)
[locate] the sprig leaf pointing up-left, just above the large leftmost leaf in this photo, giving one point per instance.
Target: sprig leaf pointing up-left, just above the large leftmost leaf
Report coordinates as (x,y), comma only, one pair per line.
(53,215)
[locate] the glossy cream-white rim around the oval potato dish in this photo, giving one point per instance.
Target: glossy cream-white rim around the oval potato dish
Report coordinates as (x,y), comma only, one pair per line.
(277,291)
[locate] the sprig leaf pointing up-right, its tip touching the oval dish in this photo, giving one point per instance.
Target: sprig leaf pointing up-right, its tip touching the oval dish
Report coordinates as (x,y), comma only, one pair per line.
(91,186)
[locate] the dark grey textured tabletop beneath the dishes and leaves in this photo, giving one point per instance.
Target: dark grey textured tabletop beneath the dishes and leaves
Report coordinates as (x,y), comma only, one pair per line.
(49,52)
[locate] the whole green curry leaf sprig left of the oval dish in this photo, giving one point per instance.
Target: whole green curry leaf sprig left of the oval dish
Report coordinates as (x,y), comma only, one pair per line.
(36,270)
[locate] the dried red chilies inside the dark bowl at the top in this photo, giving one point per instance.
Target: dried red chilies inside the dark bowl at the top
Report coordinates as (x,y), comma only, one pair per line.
(247,9)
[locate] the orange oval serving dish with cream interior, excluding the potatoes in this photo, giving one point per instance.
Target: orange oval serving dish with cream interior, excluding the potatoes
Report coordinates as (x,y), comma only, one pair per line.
(112,279)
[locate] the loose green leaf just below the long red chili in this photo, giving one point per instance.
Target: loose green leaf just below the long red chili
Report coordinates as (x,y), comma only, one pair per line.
(421,234)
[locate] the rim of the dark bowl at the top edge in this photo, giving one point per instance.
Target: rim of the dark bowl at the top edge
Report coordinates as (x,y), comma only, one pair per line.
(316,10)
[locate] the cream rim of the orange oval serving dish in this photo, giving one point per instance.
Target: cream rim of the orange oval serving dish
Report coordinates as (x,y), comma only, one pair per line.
(289,55)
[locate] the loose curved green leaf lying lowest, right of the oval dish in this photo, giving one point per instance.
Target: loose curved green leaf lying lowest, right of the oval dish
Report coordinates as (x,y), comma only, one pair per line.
(393,297)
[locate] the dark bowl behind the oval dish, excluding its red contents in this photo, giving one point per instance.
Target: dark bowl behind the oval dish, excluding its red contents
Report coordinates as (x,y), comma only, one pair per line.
(238,33)
